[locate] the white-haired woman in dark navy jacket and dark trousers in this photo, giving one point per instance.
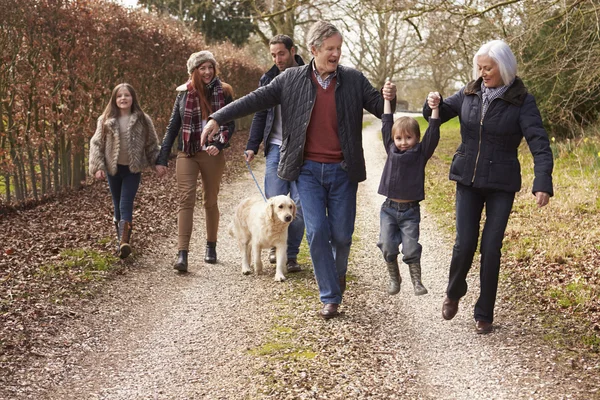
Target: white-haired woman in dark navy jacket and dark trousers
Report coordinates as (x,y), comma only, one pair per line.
(495,112)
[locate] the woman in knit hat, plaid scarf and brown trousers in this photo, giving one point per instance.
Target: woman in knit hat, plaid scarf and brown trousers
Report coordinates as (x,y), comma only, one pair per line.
(202,95)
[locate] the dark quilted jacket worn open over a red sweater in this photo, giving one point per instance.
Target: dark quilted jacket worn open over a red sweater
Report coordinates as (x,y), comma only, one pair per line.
(296,92)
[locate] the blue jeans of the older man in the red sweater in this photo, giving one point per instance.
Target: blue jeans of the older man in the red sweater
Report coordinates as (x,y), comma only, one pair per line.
(329,201)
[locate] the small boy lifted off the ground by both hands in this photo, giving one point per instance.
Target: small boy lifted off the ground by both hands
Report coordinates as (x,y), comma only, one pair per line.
(403,183)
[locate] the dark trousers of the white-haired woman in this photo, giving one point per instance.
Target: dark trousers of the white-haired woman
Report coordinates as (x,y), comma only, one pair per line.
(469,206)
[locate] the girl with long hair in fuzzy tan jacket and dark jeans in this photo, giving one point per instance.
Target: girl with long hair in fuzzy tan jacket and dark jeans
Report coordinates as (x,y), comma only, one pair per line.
(124,144)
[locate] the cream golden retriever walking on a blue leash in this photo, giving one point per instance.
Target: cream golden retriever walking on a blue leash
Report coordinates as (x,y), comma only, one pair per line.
(258,225)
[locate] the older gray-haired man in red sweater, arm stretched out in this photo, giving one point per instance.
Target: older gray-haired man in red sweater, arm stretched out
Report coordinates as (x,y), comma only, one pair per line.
(322,111)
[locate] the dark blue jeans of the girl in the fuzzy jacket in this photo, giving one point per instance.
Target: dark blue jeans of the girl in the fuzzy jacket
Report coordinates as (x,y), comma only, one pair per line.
(123,188)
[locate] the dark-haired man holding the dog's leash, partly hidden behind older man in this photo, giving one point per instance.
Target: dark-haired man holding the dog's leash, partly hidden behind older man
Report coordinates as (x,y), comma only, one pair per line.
(267,127)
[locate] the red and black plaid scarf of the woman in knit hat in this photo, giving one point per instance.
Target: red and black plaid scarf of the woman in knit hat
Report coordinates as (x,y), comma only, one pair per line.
(192,117)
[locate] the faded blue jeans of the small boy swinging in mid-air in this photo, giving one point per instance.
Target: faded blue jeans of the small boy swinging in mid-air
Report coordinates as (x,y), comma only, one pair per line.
(399,224)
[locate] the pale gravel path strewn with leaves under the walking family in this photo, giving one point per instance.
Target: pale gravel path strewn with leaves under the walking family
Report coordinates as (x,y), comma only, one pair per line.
(216,334)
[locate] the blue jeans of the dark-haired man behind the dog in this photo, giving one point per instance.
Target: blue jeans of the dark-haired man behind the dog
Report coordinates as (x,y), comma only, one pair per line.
(275,186)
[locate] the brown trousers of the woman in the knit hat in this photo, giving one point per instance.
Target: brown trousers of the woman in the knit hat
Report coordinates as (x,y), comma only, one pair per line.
(211,171)
